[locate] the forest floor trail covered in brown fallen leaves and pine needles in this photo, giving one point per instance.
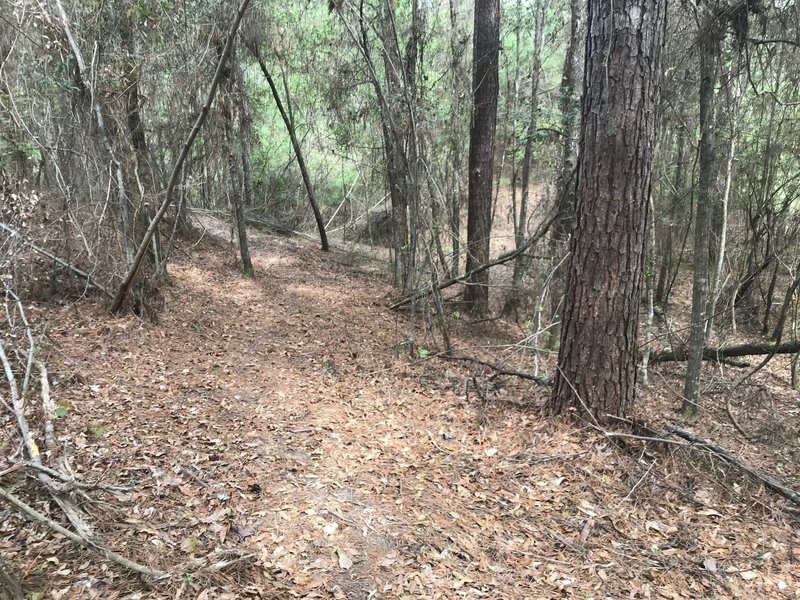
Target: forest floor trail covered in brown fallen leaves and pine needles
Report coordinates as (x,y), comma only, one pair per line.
(282,416)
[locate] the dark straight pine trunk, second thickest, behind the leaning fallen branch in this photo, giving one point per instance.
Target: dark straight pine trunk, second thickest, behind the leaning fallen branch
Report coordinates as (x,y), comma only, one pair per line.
(486,48)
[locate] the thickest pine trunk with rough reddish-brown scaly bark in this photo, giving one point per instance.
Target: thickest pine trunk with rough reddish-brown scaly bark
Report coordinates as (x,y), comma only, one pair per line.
(598,352)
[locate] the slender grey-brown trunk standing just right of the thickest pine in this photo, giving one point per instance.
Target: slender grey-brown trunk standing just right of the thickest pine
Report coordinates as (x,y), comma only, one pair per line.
(709,53)
